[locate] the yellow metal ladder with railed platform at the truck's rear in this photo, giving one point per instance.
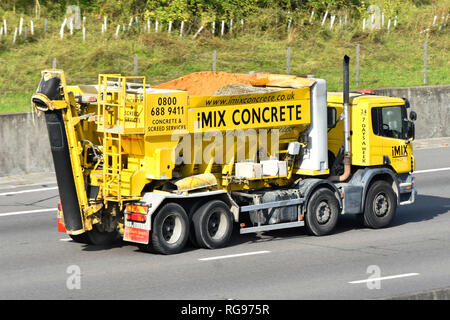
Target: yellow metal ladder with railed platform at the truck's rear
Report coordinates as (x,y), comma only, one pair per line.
(113,92)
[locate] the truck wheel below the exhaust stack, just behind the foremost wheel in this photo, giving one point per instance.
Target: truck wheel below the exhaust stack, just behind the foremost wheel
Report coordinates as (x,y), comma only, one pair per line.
(322,212)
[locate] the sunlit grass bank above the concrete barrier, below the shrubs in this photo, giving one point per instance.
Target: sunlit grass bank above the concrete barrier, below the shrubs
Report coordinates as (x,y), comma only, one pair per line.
(387,59)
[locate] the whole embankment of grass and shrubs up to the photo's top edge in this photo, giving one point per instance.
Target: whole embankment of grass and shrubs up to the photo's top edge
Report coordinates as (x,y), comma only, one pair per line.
(393,58)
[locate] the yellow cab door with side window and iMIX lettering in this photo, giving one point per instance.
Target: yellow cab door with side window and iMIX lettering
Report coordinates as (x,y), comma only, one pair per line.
(390,125)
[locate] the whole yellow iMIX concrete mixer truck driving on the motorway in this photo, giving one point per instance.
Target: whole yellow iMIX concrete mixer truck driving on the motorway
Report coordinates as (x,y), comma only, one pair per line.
(160,167)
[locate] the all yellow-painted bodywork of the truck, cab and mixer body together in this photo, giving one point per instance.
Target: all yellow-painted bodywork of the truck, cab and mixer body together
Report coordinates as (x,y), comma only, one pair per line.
(144,134)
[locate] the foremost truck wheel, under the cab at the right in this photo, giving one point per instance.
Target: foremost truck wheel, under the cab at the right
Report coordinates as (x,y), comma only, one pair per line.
(380,206)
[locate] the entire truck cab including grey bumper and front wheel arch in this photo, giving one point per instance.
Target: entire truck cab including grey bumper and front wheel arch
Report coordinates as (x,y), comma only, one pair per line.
(381,136)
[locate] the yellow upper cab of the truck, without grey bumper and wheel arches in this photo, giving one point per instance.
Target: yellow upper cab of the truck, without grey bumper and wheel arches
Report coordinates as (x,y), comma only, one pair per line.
(381,133)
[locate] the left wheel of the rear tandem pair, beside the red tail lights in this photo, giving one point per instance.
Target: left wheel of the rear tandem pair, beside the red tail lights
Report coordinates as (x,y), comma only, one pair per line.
(170,230)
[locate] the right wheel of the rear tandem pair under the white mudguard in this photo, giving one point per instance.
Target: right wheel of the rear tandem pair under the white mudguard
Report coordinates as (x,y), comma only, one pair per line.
(213,224)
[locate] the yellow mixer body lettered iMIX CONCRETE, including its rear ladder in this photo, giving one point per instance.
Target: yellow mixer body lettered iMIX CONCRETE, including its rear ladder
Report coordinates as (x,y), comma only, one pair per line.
(141,134)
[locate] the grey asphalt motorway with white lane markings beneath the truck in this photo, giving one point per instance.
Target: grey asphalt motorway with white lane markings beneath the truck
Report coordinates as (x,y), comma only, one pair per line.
(413,255)
